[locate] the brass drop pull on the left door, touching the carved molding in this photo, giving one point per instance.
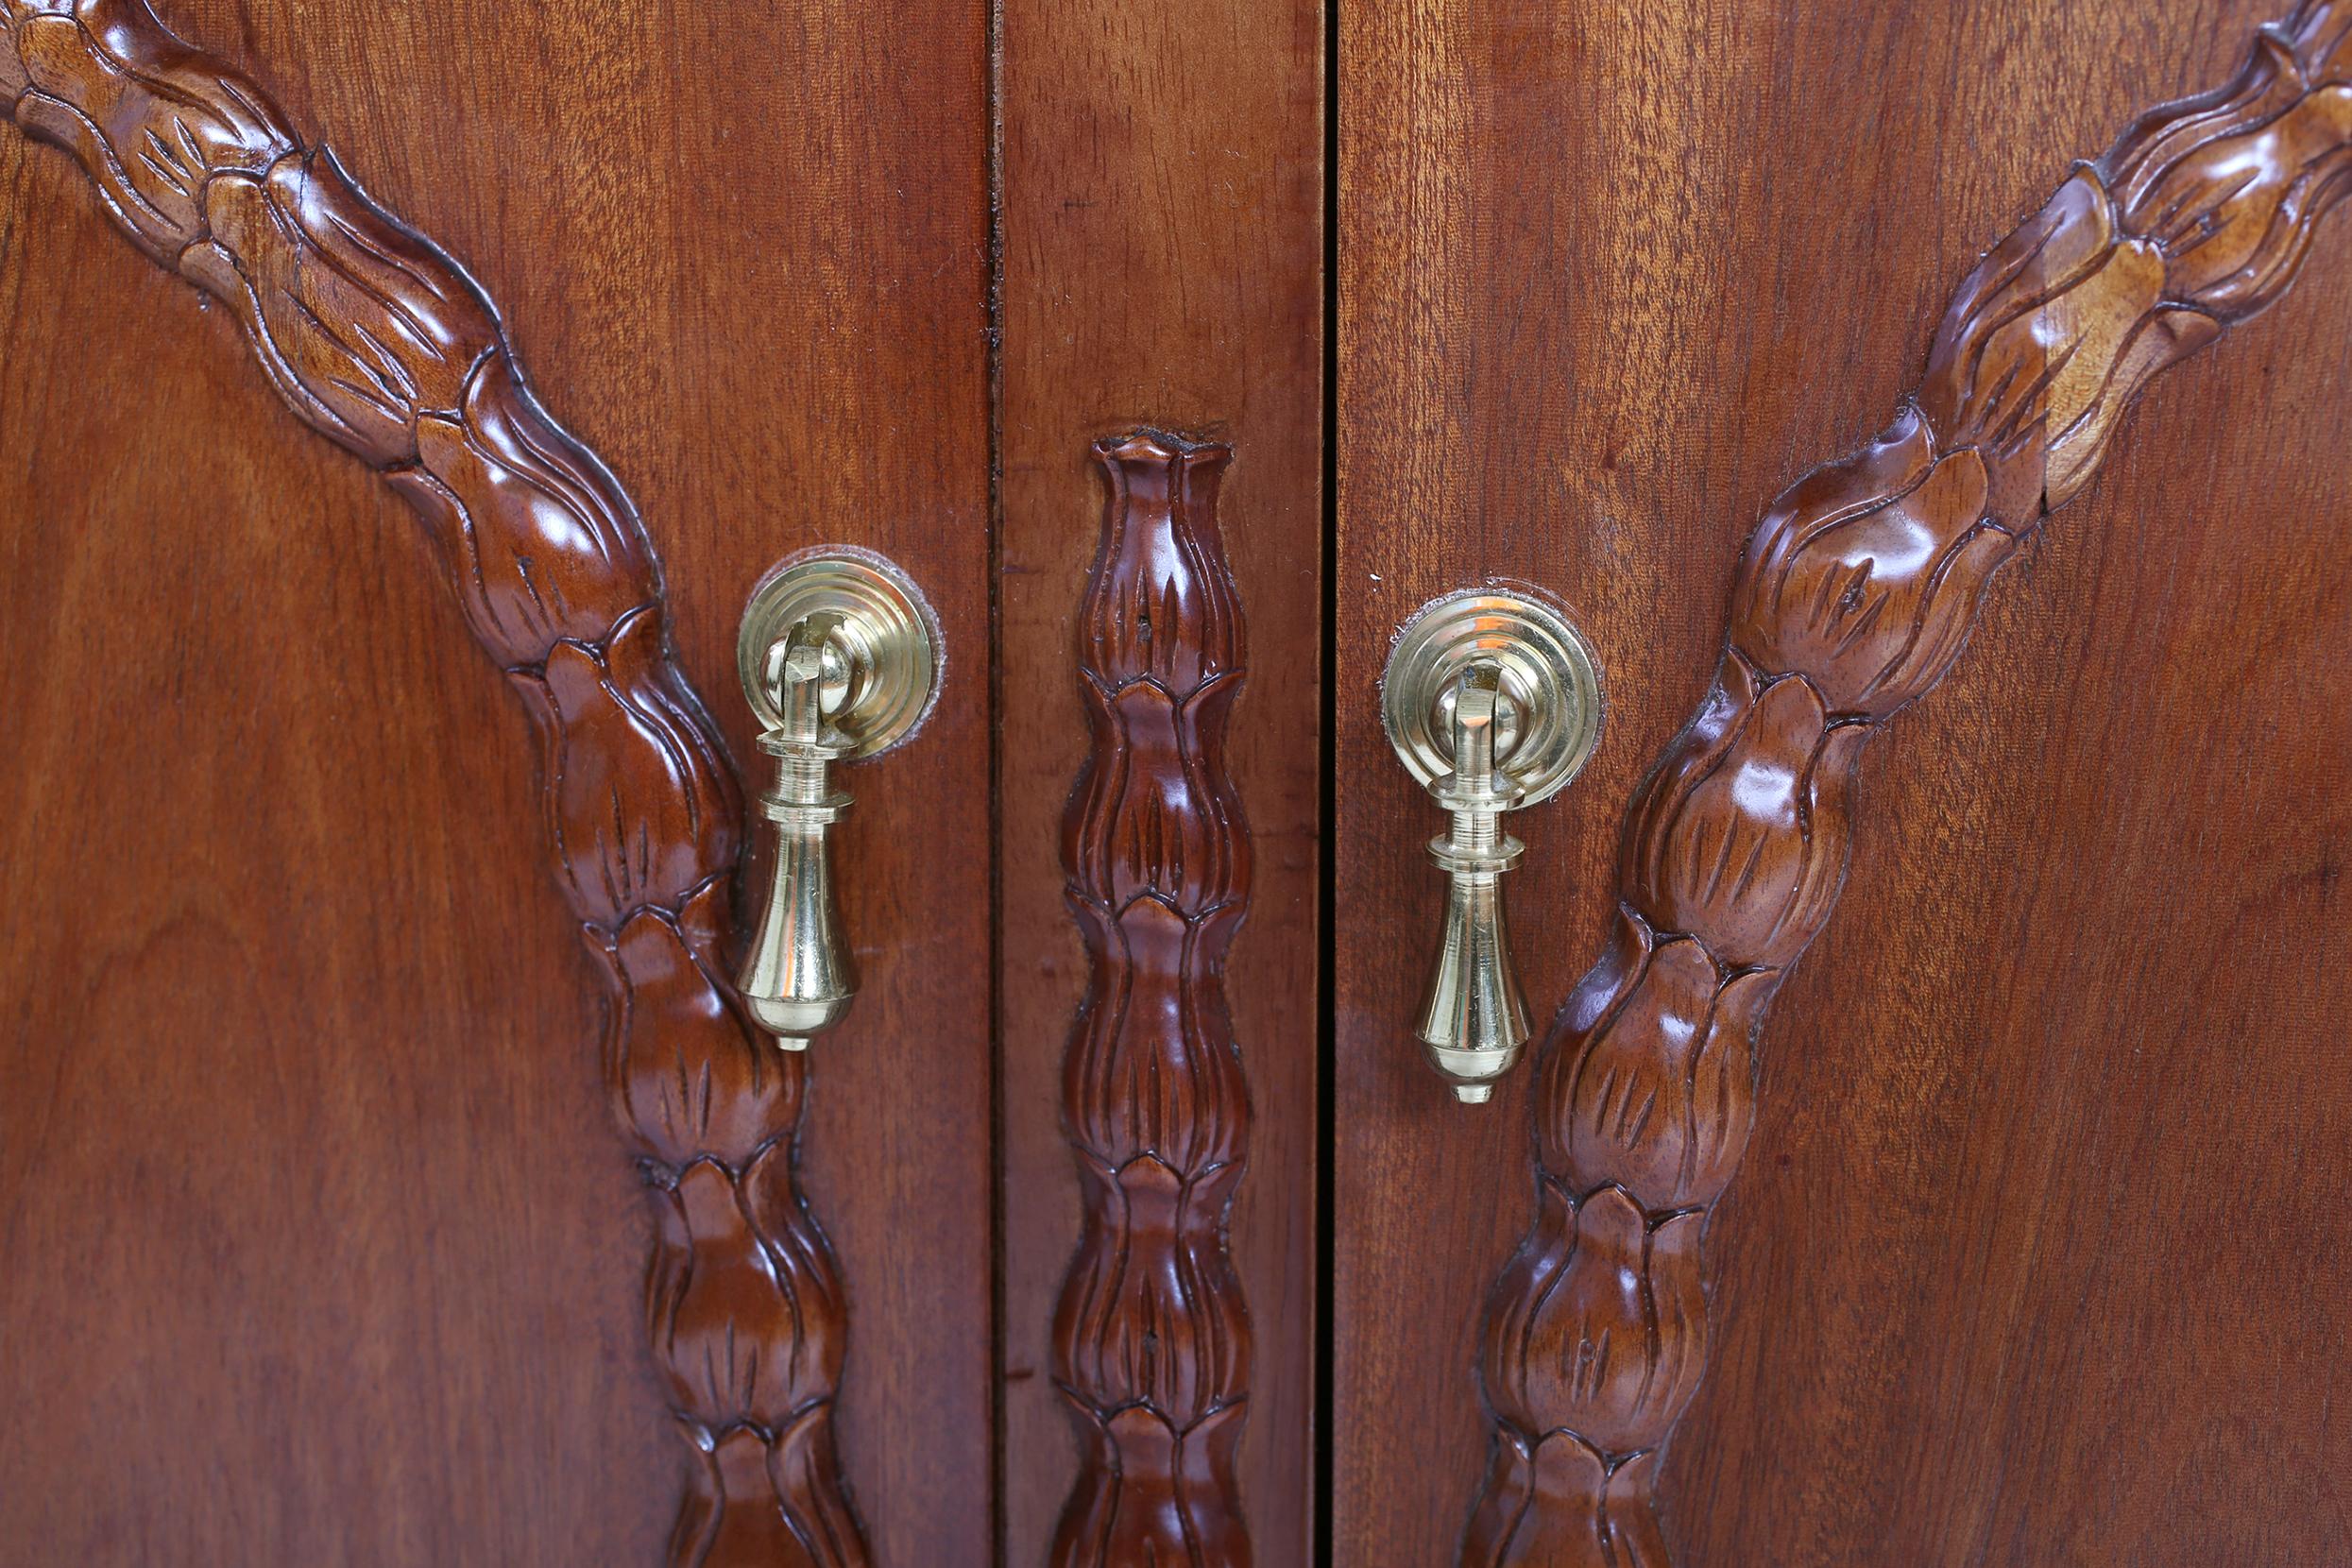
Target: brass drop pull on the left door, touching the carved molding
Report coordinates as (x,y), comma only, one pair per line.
(841,662)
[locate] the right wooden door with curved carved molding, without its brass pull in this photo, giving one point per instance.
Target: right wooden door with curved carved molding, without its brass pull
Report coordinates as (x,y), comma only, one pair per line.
(2014,1266)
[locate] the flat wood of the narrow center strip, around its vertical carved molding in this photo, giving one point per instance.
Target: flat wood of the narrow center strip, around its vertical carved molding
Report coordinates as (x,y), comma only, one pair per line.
(1163,201)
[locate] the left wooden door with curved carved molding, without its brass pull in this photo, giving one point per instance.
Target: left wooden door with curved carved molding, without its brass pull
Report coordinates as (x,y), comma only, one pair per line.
(375,1195)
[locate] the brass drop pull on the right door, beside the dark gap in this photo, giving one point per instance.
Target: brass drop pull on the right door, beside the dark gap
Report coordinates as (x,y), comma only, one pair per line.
(1492,704)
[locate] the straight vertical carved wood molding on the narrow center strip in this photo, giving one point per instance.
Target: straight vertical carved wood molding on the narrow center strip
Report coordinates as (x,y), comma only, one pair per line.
(1151,1339)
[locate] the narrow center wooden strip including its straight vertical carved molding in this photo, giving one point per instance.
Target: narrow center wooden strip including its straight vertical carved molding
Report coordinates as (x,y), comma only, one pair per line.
(1158,779)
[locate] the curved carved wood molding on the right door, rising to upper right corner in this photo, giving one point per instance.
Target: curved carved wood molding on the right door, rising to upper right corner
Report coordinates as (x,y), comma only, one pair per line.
(1852,603)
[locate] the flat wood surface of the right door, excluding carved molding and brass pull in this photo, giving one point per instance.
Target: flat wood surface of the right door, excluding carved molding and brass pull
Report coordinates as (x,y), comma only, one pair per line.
(1993,1219)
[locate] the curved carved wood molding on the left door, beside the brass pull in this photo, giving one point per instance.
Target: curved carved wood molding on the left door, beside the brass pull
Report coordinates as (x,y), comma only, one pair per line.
(382,344)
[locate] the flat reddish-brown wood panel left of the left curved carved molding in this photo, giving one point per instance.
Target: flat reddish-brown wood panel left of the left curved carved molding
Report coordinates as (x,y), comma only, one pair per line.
(298,1106)
